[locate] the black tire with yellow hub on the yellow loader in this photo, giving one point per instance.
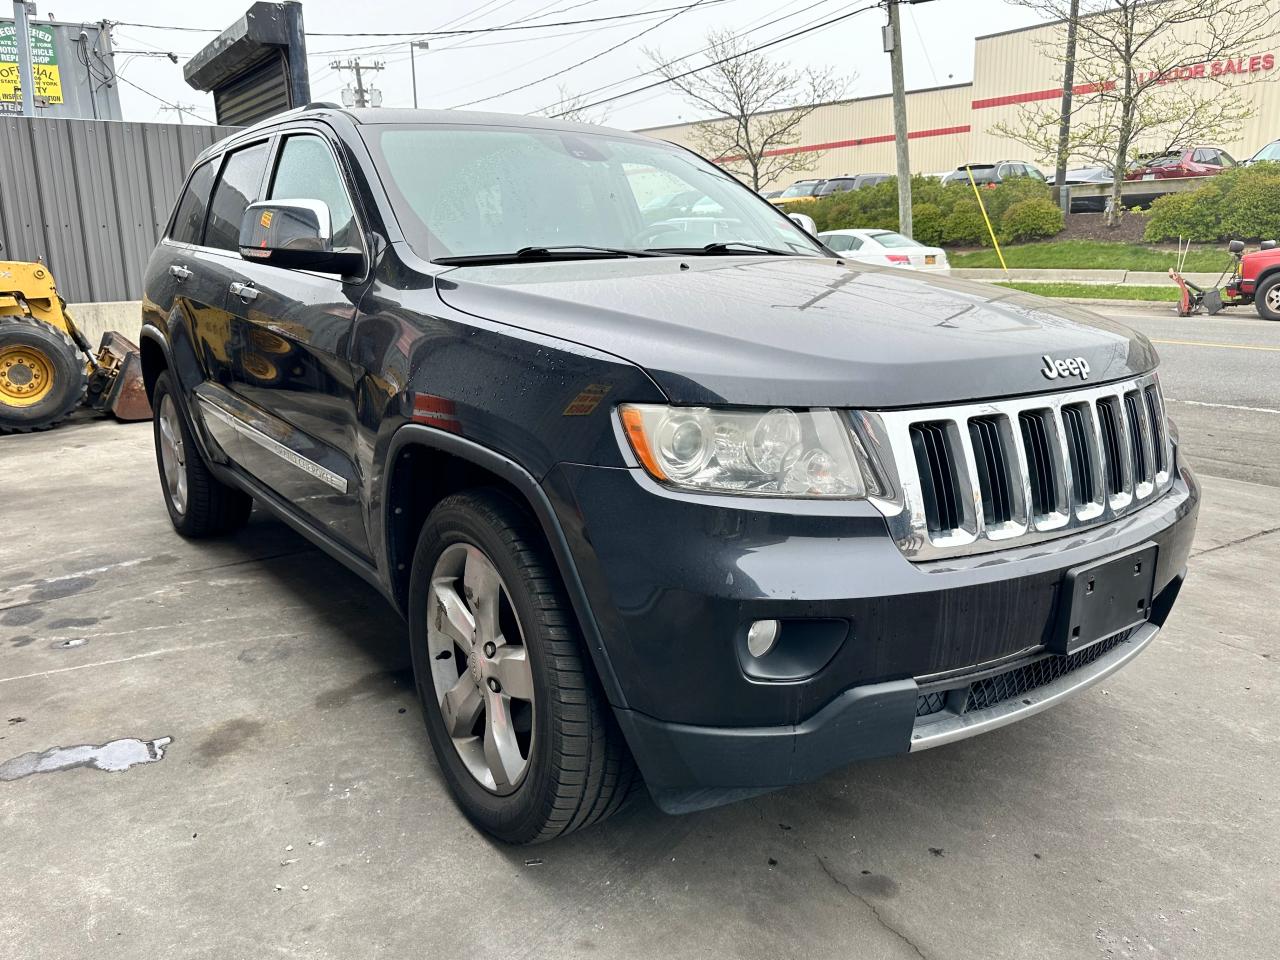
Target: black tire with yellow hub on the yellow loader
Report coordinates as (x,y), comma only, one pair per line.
(43,376)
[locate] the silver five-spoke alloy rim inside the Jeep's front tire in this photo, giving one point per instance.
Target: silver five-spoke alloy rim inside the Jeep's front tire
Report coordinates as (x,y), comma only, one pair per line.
(481,669)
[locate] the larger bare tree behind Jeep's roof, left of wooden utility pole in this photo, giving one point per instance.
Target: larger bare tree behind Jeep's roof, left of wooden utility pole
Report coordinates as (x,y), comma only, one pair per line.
(756,106)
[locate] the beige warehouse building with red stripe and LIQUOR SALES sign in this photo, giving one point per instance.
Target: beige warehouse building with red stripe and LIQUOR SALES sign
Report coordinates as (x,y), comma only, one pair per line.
(1013,72)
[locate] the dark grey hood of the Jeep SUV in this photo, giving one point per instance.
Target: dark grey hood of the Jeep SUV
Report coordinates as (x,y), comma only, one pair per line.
(802,331)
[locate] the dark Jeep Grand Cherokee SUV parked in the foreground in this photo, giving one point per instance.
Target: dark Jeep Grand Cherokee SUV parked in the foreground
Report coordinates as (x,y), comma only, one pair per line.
(665,495)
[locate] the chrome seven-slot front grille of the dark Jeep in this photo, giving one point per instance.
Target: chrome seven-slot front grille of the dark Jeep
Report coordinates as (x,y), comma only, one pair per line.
(984,477)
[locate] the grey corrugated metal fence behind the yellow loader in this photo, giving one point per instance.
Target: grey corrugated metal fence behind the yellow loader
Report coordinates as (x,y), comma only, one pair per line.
(90,198)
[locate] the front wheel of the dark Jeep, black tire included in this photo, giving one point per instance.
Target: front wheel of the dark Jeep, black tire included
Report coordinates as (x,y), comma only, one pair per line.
(577,769)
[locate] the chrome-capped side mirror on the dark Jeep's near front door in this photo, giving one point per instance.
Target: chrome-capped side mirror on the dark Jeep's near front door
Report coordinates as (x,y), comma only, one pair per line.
(295,234)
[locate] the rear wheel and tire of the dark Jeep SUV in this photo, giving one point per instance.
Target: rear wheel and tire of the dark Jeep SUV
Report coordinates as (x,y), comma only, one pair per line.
(200,505)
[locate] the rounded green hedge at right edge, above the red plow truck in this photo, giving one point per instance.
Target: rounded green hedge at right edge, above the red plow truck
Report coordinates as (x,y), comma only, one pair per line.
(1240,204)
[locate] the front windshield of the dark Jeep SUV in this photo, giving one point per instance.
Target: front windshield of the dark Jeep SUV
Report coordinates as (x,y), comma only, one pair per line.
(473,191)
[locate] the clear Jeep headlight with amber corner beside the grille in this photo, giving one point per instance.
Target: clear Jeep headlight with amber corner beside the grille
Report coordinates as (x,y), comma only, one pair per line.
(756,454)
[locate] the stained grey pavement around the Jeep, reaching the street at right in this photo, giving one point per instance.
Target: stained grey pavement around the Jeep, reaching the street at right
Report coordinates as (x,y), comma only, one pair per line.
(289,804)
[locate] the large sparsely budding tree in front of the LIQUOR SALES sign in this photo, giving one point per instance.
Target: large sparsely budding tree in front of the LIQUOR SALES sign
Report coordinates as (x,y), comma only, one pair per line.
(1162,74)
